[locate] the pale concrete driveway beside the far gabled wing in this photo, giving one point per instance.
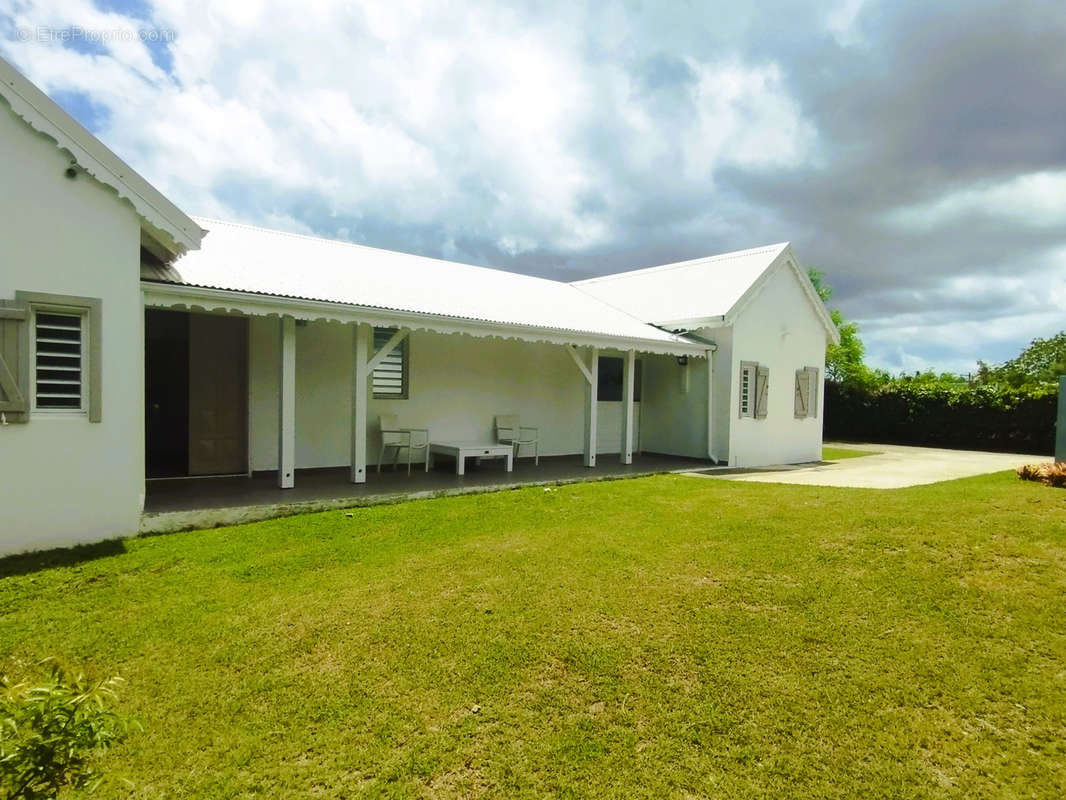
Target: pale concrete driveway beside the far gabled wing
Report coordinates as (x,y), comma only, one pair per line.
(896,467)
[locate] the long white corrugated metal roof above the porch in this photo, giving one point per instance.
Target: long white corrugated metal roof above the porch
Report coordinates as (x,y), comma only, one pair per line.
(245,259)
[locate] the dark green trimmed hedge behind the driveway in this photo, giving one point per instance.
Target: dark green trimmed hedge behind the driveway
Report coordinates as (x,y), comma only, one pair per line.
(943,415)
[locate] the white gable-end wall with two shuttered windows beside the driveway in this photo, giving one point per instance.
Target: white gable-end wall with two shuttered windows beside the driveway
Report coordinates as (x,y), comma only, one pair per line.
(780,329)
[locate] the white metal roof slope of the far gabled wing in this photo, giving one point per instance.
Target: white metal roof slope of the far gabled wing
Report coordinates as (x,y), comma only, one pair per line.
(699,290)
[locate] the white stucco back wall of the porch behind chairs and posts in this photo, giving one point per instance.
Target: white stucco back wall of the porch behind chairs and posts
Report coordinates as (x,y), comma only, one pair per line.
(458,386)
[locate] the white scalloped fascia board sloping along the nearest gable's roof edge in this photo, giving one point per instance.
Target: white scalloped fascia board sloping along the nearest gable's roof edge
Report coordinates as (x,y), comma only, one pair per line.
(164,220)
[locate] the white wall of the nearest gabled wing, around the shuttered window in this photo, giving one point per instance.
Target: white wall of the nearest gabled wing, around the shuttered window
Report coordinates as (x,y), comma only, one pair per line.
(63,479)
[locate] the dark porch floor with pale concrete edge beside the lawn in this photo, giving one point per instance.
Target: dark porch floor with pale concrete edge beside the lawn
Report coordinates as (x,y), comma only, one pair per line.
(187,504)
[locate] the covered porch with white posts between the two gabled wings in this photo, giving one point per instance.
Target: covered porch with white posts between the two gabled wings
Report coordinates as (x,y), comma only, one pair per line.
(265,406)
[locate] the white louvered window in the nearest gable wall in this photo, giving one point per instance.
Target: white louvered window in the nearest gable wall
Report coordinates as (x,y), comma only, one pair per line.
(59,361)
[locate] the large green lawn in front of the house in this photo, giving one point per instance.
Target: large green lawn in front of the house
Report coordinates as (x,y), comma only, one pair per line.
(663,637)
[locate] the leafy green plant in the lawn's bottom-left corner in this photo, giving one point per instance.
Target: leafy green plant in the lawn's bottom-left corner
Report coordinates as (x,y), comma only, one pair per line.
(53,729)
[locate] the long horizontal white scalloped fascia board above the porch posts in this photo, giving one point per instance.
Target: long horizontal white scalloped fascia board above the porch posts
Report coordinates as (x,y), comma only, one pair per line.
(202,299)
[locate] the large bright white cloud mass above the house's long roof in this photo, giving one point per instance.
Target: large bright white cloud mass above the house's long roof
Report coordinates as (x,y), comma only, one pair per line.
(465,120)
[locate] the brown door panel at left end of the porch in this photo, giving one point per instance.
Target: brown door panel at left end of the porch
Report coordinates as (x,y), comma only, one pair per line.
(218,395)
